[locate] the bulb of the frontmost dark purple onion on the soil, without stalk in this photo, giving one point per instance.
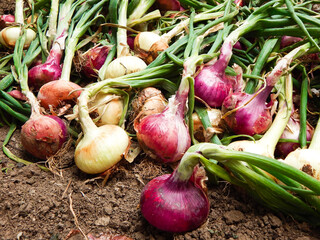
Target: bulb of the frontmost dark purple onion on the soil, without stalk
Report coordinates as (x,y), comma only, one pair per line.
(173,205)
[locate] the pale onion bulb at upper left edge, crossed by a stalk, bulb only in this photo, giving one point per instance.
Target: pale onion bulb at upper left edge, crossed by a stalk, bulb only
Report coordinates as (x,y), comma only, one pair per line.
(9,36)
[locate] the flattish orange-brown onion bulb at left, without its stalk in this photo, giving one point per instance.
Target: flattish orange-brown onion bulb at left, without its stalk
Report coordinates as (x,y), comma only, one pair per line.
(58,92)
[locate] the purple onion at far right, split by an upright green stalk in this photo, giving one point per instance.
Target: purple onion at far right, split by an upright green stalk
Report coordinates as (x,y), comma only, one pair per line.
(284,148)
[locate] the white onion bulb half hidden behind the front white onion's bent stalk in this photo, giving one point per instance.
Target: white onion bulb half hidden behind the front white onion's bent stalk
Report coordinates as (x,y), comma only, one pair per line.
(124,65)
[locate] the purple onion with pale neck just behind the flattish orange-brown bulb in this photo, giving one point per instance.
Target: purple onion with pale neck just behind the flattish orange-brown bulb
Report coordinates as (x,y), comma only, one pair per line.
(48,71)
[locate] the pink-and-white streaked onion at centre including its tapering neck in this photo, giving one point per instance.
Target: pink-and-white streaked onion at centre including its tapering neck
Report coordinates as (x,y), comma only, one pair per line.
(165,136)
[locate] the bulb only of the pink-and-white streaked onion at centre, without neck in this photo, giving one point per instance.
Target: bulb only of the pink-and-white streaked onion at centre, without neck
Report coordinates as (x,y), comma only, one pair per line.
(164,136)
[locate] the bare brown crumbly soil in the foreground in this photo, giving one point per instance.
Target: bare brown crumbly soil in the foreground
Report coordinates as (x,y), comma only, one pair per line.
(37,204)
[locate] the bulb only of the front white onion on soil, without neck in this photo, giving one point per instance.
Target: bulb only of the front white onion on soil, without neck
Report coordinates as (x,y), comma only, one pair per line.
(101,149)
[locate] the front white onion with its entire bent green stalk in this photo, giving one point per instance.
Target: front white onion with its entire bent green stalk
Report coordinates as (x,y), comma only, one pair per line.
(100,148)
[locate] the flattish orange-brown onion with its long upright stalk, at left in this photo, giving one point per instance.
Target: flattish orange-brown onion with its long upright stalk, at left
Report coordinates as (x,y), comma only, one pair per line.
(57,93)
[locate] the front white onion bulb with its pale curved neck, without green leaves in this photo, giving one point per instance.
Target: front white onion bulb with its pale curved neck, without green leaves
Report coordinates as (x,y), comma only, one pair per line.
(100,148)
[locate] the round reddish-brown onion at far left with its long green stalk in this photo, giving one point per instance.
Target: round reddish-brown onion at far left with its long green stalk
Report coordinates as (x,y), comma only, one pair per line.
(42,135)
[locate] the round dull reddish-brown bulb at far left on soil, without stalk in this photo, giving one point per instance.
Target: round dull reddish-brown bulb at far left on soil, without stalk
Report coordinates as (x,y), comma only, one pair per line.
(42,136)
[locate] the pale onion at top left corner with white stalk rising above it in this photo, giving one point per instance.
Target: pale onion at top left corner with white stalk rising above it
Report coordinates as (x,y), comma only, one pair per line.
(9,35)
